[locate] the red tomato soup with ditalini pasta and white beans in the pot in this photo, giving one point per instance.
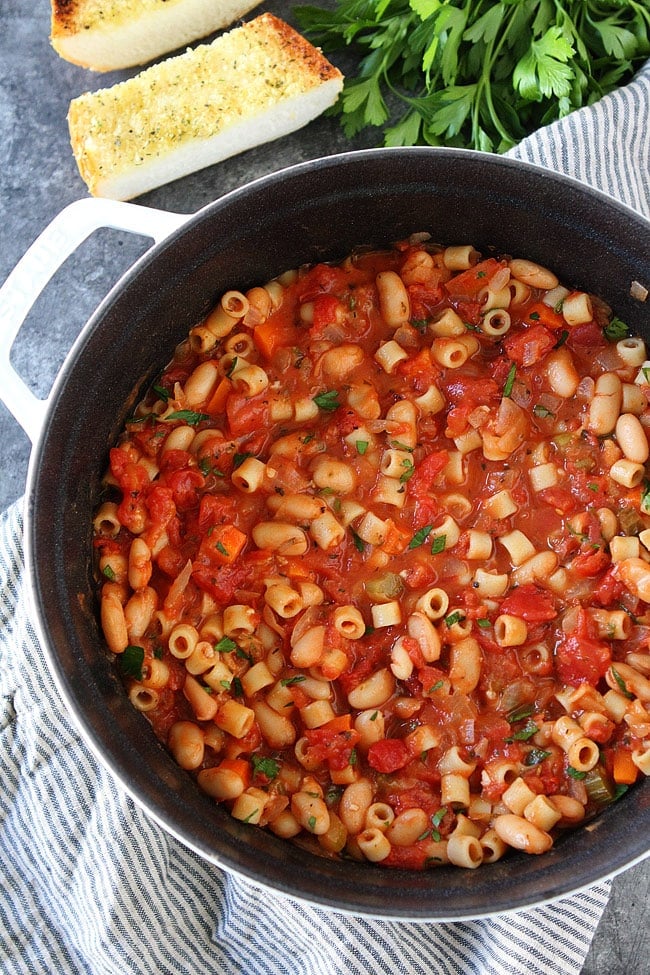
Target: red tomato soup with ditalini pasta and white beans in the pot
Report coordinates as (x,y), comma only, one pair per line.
(374,556)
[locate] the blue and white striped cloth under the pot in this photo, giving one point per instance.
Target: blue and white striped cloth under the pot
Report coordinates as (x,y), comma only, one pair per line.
(89,885)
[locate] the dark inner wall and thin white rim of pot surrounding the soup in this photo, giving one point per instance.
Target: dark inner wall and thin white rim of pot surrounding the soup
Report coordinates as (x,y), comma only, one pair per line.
(316,211)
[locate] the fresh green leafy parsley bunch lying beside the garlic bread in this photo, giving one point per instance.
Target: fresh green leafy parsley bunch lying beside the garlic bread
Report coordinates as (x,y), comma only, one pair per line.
(477,74)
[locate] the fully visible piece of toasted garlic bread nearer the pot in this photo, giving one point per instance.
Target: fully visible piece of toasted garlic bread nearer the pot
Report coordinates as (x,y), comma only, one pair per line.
(251,85)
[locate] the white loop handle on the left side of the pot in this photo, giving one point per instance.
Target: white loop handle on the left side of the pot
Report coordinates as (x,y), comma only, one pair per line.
(46,255)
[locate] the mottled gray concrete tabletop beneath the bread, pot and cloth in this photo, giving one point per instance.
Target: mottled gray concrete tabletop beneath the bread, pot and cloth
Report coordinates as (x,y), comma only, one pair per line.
(38,178)
